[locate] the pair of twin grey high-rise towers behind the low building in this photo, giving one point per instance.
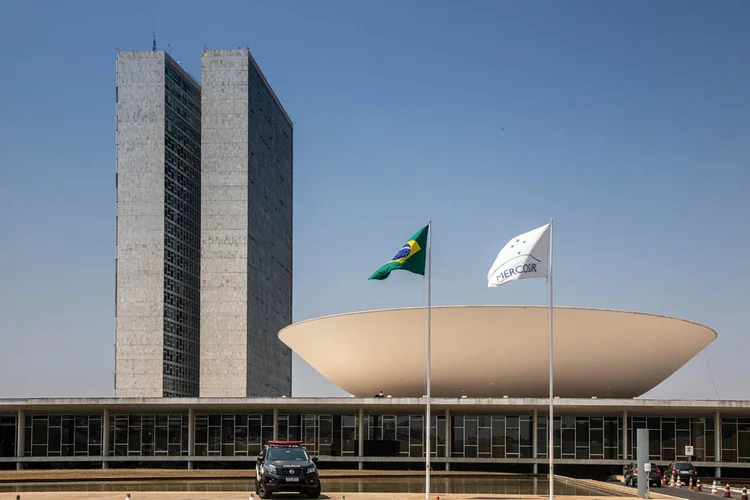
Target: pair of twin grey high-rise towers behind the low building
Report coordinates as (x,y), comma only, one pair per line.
(204,229)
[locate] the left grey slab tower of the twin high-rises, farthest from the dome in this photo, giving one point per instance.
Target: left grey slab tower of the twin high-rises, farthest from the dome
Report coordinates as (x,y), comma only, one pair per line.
(157,302)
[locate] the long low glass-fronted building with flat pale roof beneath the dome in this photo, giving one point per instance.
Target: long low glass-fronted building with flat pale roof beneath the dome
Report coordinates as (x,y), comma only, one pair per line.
(493,433)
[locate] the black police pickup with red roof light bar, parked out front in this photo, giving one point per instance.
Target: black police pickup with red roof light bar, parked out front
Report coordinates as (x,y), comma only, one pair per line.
(285,466)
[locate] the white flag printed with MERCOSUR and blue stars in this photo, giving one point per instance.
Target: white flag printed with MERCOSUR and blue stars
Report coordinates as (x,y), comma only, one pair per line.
(525,256)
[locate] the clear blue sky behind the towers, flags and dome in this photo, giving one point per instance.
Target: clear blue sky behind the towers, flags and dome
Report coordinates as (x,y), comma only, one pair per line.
(628,122)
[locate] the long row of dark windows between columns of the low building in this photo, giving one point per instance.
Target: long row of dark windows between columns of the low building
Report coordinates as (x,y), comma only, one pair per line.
(497,436)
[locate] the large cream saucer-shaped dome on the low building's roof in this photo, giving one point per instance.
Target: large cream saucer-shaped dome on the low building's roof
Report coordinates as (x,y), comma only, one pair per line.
(494,351)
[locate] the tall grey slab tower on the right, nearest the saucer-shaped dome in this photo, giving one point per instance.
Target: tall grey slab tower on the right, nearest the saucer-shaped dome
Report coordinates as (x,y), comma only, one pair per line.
(246,230)
